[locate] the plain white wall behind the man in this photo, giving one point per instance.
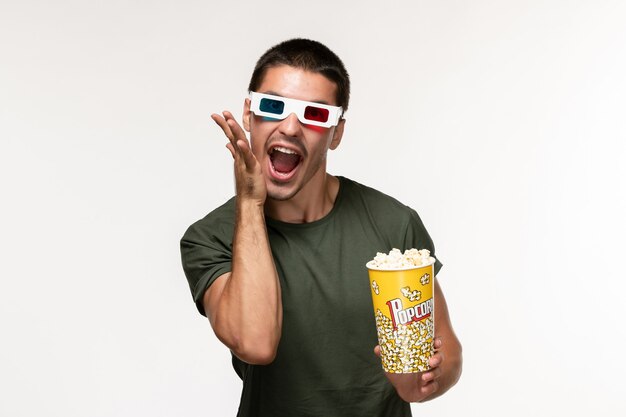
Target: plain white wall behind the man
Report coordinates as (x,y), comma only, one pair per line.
(501,122)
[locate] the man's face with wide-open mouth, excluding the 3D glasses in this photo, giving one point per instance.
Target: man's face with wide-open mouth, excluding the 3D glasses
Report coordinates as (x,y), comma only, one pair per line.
(292,154)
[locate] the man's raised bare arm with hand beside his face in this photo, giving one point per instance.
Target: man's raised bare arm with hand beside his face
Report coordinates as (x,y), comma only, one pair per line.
(244,306)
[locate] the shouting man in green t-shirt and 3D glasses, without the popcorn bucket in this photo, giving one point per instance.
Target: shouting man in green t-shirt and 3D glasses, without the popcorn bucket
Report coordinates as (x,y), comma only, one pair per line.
(279,269)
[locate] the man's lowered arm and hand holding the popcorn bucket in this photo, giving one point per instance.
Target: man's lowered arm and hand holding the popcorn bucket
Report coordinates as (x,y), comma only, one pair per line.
(445,365)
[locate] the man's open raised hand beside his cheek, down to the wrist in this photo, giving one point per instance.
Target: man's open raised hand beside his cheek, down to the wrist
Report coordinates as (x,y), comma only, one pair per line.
(249,181)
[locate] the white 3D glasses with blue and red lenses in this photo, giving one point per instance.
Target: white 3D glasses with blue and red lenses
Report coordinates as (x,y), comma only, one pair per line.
(276,107)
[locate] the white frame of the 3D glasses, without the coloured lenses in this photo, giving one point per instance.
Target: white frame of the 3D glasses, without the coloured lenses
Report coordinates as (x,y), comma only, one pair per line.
(295,106)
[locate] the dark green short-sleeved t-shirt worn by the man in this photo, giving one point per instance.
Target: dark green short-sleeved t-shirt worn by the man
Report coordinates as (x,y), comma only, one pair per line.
(325,365)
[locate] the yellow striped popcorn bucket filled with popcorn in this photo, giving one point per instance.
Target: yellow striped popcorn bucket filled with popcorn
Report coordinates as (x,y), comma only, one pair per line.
(403,299)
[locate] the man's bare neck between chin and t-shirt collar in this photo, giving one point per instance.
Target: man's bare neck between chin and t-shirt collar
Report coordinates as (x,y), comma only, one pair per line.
(306,207)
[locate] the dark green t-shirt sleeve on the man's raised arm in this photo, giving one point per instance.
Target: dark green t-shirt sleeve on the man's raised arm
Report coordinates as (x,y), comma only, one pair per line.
(206,254)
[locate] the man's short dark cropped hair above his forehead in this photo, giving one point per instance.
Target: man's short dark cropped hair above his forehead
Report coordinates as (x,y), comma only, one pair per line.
(308,55)
